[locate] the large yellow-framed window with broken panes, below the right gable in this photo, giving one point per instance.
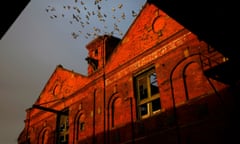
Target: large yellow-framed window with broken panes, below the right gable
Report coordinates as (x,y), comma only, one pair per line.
(147,91)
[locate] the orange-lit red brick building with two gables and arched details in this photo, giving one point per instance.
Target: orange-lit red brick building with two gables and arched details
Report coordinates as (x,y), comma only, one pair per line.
(158,84)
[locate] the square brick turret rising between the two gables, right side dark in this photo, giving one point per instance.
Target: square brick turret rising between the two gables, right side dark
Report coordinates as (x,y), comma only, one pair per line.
(99,51)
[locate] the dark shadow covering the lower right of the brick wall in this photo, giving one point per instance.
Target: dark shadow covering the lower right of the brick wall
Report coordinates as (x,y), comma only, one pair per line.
(201,120)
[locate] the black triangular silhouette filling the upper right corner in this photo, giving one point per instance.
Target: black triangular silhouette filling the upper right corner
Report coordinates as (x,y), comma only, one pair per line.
(211,22)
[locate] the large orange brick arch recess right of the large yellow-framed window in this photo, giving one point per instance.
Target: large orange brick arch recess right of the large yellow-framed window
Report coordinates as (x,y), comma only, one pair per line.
(188,80)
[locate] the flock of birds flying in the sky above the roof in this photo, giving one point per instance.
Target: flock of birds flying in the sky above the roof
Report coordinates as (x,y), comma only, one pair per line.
(92,17)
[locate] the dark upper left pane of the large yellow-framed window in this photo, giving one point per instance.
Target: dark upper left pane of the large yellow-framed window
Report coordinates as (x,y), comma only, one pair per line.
(142,83)
